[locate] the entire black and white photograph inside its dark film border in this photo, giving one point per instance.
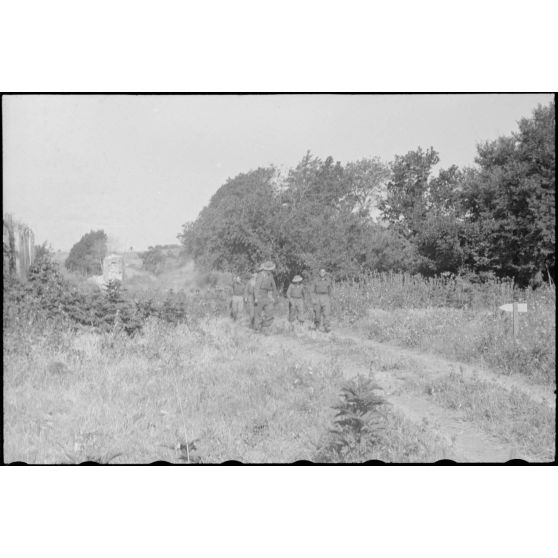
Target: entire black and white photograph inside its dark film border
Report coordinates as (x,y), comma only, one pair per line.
(200,279)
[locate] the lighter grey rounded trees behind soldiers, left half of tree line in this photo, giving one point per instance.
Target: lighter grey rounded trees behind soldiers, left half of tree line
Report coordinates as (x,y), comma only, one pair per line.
(316,216)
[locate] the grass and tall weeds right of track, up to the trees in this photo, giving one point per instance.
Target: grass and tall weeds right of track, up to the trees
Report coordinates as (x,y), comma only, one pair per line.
(456,318)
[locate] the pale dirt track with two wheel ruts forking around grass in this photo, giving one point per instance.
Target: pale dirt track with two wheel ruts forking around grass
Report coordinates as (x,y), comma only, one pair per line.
(392,368)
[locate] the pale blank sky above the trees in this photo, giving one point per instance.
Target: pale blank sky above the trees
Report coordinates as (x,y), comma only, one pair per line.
(141,166)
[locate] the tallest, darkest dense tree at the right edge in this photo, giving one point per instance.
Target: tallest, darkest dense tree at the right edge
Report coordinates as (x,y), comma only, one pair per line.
(509,201)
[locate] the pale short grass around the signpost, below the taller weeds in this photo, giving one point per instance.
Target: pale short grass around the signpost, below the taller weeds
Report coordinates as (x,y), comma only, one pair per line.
(476,337)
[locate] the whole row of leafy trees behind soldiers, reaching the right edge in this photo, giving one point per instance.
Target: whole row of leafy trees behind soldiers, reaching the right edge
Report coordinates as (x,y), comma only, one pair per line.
(496,218)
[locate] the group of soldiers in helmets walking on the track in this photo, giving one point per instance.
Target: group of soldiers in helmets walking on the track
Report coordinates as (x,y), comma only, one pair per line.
(260,294)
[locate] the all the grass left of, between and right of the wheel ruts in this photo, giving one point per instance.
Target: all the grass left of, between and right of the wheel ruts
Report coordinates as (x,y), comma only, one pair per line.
(205,390)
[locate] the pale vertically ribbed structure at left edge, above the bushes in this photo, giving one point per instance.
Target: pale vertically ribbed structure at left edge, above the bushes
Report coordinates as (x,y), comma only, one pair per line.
(18,247)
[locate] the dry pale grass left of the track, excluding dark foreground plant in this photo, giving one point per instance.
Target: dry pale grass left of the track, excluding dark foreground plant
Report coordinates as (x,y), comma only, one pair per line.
(171,393)
